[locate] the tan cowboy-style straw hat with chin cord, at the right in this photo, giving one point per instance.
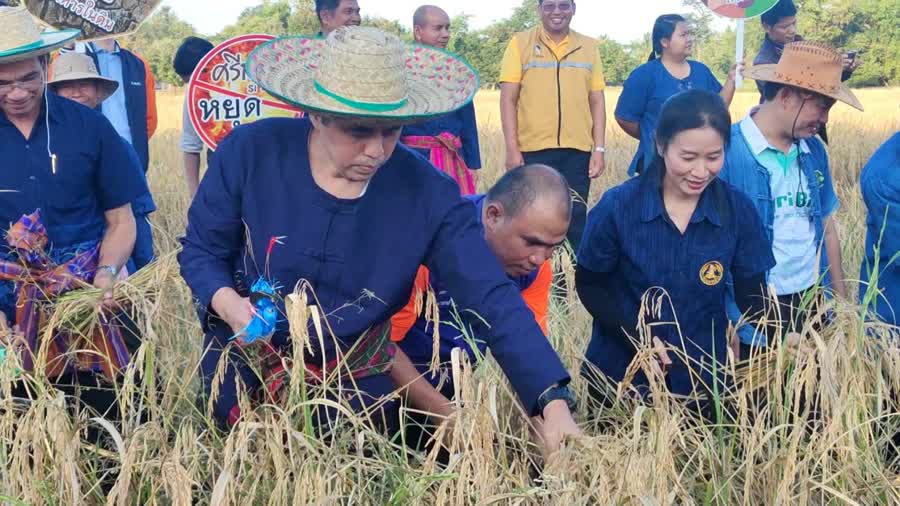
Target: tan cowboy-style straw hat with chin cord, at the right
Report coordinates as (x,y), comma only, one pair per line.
(811,66)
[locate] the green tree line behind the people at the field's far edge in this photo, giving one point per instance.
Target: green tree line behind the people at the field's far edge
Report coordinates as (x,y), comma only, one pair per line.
(867,26)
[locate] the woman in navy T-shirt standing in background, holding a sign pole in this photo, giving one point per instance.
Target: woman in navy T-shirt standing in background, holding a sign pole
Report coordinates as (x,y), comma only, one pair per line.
(667,72)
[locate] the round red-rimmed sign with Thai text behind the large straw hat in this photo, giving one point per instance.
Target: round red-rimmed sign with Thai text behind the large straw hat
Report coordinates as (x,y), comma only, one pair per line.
(222,96)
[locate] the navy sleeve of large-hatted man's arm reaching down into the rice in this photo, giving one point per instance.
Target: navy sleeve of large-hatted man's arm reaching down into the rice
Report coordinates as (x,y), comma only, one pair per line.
(460,256)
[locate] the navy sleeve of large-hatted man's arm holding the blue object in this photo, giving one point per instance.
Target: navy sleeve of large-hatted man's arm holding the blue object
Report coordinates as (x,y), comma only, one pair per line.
(214,230)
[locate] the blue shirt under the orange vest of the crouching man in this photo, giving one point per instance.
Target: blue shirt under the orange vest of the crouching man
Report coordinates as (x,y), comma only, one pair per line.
(458,329)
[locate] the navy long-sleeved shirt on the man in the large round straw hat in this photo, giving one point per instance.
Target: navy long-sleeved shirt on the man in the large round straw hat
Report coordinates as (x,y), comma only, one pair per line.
(360,255)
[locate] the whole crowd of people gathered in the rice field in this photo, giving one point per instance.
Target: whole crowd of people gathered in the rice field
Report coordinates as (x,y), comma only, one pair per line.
(368,203)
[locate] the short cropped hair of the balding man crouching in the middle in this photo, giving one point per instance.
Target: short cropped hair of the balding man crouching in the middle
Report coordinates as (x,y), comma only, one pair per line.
(520,188)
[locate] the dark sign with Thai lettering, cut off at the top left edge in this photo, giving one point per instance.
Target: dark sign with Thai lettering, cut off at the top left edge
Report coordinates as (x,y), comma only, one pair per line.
(97,19)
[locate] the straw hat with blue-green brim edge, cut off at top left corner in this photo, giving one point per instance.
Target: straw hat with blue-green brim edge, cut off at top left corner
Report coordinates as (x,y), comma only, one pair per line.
(21,38)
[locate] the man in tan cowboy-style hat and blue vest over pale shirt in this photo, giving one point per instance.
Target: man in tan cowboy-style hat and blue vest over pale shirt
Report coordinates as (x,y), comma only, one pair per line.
(775,158)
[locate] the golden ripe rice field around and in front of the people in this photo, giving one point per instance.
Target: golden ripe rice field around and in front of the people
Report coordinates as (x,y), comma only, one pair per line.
(631,454)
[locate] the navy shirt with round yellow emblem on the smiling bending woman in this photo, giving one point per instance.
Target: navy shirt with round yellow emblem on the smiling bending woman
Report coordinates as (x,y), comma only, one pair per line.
(630,235)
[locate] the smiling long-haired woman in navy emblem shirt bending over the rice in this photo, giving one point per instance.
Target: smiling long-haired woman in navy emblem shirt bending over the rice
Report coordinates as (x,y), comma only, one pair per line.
(673,236)
